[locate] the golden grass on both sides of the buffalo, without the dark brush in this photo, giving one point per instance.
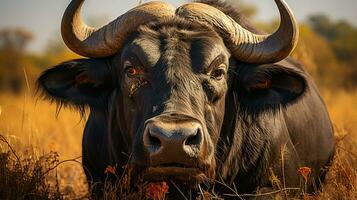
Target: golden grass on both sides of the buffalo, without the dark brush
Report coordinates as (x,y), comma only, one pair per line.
(32,129)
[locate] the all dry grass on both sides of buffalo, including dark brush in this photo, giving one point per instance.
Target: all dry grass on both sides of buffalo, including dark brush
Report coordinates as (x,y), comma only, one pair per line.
(35,133)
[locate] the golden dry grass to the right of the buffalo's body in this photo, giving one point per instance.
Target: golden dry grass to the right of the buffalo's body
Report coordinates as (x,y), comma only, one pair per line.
(341,181)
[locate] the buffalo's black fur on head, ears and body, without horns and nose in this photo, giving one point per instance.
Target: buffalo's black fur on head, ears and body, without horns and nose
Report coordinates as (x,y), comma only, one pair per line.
(246,126)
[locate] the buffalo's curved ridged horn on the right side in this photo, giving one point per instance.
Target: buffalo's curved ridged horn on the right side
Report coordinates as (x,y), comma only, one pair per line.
(245,45)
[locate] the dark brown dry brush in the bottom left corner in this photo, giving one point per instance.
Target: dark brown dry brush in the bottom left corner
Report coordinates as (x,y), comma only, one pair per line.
(28,177)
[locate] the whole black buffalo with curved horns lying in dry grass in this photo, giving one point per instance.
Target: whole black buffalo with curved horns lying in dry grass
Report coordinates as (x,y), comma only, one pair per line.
(191,95)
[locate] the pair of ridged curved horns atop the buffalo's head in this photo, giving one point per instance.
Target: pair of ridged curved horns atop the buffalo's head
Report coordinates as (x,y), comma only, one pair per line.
(243,44)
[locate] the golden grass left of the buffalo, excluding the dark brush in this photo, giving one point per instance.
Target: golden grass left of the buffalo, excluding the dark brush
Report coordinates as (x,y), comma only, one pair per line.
(33,130)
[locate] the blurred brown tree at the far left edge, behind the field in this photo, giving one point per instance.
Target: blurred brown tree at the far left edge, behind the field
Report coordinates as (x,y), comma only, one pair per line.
(13,44)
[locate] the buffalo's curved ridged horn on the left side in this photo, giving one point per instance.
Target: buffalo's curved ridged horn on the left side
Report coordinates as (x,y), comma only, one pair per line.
(92,42)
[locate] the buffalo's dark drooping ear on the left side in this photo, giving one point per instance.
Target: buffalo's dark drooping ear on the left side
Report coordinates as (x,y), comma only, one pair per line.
(77,82)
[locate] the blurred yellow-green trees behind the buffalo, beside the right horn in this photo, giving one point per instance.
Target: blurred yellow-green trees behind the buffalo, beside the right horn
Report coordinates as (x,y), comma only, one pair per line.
(327,49)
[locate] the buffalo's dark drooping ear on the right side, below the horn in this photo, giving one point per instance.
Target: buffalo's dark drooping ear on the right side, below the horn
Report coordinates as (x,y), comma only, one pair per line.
(262,87)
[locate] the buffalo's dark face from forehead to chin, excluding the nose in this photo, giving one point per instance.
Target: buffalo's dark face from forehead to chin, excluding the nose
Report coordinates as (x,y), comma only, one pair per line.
(184,90)
